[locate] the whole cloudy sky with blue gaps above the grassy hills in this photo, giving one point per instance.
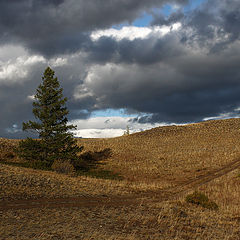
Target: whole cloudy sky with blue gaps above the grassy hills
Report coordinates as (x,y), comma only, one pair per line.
(134,63)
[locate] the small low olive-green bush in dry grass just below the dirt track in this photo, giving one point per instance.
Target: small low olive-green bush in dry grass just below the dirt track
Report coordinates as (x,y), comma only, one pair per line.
(202,200)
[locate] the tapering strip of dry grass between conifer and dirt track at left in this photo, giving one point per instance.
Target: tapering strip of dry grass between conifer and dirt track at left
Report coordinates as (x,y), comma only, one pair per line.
(24,183)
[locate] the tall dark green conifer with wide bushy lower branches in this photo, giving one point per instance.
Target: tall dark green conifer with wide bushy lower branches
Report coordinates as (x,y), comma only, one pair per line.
(56,141)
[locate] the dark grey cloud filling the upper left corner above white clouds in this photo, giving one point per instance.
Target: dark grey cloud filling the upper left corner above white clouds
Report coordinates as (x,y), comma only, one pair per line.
(58,26)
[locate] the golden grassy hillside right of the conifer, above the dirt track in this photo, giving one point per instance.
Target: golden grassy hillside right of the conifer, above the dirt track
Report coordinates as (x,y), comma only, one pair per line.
(172,154)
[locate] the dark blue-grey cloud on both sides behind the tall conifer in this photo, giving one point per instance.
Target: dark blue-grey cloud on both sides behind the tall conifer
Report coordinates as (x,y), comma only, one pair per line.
(16,104)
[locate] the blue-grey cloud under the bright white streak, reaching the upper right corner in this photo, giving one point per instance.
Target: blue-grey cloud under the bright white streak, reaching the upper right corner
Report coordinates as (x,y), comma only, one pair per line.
(208,27)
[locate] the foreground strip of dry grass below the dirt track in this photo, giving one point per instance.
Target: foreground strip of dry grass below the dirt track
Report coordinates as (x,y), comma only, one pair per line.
(175,220)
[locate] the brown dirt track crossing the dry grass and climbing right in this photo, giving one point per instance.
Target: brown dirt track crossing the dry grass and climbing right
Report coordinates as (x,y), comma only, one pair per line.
(115,201)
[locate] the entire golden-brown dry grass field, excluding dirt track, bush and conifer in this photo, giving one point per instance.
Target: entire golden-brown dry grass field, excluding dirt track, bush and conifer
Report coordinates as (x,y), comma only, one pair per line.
(150,163)
